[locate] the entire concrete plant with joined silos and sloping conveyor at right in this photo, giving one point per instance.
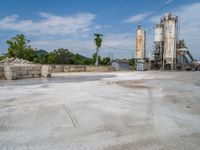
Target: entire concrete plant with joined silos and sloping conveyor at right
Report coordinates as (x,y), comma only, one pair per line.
(169,52)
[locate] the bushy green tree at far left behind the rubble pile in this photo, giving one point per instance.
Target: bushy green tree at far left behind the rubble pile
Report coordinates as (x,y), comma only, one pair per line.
(19,47)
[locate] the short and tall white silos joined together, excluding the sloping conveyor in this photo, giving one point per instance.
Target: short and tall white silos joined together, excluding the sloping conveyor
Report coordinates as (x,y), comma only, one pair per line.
(165,39)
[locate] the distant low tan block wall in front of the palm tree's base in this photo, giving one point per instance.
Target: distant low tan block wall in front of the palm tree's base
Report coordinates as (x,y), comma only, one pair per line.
(79,68)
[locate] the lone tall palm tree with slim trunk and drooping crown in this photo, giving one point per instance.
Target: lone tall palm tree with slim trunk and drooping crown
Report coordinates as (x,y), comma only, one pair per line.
(97,41)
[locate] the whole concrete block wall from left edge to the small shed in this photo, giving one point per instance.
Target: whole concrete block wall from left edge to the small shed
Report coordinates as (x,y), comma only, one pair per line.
(11,72)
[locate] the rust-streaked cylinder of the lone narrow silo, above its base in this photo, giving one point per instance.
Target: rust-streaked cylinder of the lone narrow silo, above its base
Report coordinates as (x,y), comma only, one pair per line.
(140,43)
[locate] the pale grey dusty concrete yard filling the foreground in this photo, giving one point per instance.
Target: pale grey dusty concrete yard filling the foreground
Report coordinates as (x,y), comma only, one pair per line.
(102,111)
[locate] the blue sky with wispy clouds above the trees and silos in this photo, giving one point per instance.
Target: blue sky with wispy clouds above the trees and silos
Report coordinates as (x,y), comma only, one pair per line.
(52,24)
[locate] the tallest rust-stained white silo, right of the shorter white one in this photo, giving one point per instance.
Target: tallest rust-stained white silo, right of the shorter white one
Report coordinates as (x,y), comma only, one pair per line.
(169,23)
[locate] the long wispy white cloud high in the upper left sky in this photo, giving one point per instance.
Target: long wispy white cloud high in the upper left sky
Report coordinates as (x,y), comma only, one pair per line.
(49,24)
